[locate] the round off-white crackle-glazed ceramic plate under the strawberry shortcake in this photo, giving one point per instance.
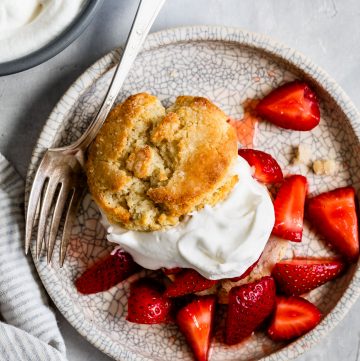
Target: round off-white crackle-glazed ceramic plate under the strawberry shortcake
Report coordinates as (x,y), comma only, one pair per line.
(228,66)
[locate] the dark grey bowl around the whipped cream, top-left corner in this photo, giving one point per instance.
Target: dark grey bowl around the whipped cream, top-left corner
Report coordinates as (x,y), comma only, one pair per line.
(55,46)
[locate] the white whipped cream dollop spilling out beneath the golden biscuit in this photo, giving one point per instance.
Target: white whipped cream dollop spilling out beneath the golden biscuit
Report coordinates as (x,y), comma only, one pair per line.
(218,242)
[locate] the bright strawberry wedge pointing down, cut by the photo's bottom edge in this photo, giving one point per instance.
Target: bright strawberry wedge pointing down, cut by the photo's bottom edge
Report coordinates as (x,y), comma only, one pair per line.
(195,321)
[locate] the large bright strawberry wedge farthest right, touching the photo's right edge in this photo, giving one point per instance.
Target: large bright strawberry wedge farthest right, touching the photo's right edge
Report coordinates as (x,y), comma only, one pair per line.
(333,214)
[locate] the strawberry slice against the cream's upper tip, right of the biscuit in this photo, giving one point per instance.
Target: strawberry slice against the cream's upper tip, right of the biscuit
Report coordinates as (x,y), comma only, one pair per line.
(267,169)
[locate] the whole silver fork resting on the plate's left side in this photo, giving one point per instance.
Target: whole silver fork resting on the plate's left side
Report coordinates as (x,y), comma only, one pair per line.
(59,180)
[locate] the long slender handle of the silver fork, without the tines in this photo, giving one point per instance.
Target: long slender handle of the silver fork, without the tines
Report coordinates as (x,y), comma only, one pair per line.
(144,18)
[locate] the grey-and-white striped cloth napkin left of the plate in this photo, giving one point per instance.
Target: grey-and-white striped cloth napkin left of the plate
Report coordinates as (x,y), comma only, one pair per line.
(29,331)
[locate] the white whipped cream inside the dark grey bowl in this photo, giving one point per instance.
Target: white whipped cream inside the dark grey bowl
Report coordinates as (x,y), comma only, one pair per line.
(27,25)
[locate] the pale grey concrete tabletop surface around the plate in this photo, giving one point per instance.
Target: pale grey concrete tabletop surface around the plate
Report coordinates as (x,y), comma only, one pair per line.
(327,31)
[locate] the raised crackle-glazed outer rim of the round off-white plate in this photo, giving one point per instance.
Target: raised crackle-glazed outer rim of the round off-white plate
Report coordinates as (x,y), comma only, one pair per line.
(156,40)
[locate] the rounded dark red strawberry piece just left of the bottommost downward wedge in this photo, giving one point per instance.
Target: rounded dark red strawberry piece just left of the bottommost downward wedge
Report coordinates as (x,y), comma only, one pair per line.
(146,303)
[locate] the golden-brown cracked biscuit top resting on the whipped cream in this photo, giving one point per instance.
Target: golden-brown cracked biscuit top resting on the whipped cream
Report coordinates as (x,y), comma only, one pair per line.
(149,167)
